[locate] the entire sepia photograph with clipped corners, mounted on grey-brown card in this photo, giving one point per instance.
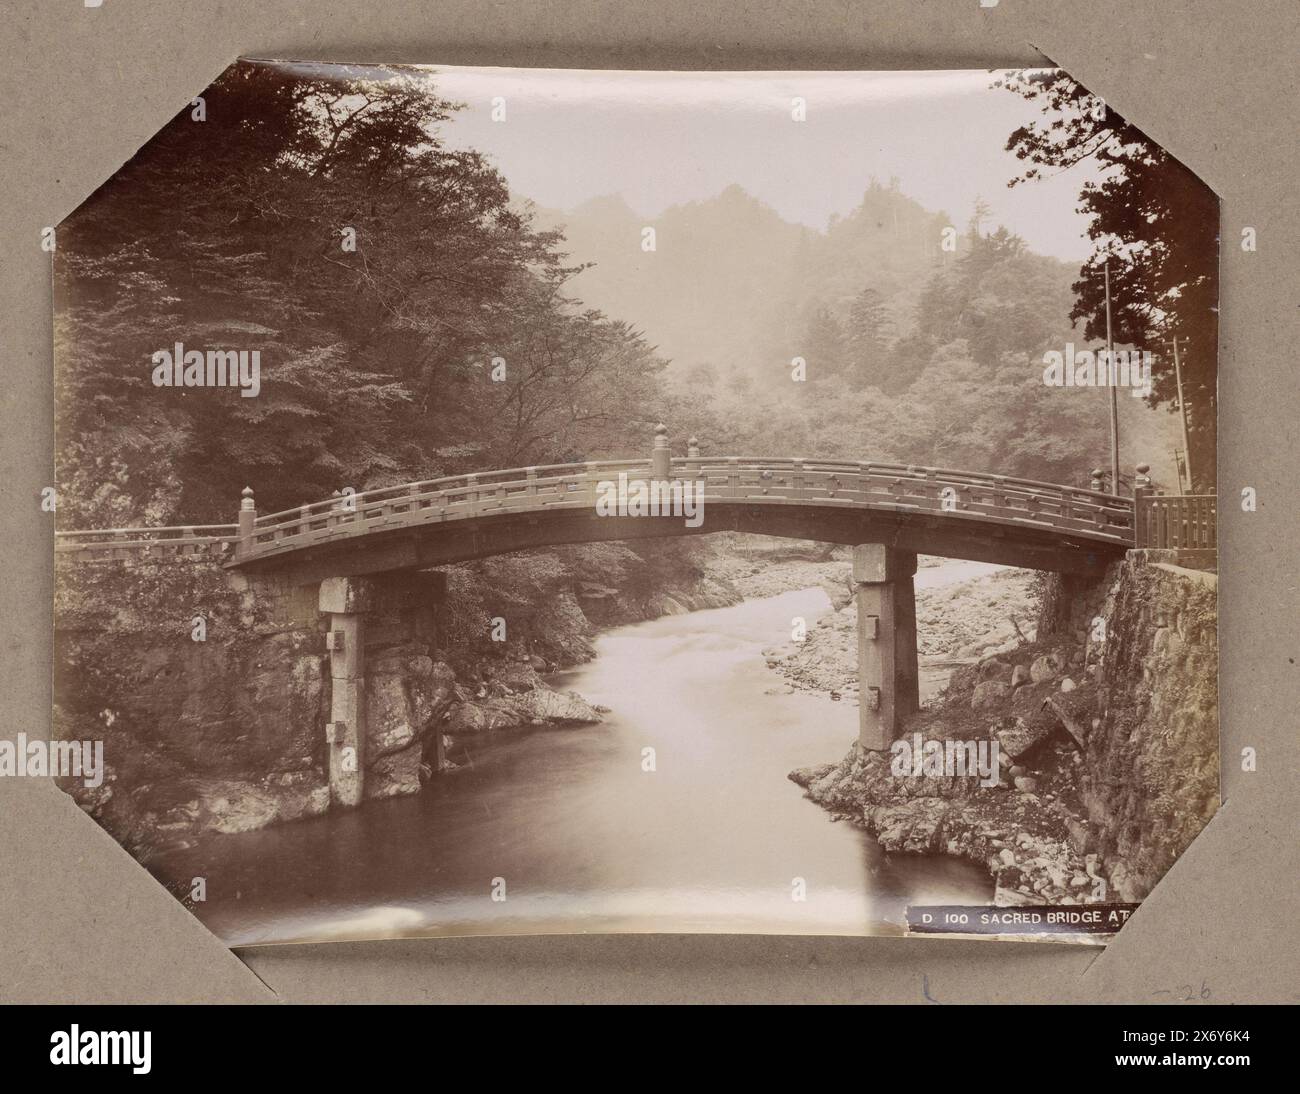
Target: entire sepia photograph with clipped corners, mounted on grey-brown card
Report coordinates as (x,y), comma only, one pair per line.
(552,502)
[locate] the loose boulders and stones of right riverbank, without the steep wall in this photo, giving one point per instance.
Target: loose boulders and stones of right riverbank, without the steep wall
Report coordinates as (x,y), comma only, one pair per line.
(1020,828)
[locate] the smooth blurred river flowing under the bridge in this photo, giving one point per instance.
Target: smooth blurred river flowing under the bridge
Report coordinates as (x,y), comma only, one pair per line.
(566,831)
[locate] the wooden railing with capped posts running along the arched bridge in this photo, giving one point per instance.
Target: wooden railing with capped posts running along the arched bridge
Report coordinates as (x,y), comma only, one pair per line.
(1022,503)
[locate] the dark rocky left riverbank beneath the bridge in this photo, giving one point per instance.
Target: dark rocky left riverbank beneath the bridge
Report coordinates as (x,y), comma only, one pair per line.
(223,731)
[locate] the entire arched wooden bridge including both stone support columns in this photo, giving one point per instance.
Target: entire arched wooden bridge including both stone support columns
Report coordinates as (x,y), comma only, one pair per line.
(890,514)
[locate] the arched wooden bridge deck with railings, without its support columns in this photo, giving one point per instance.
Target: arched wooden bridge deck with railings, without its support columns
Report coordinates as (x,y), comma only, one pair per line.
(937,511)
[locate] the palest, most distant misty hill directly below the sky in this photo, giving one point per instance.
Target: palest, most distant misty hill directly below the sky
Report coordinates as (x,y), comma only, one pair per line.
(733,285)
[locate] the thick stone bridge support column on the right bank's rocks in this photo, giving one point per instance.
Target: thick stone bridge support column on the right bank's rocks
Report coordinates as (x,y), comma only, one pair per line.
(889,683)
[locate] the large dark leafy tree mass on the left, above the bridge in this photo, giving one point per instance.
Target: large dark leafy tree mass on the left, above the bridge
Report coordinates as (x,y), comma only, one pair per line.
(231,233)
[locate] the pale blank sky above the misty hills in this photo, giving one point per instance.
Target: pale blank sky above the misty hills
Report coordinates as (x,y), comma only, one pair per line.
(661,140)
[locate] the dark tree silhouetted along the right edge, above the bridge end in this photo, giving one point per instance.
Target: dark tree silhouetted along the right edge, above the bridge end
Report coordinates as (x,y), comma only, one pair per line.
(1158,223)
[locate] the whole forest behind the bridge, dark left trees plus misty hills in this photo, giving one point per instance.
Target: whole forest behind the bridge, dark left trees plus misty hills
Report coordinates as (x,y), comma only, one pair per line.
(417,319)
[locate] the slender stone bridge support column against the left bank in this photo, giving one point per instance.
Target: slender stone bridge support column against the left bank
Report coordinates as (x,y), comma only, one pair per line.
(345,601)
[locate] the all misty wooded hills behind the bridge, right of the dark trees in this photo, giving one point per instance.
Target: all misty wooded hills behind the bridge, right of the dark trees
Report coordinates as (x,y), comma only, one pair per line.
(913,353)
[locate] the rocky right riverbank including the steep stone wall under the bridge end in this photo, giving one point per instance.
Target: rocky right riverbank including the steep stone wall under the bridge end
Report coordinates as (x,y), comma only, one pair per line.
(1107,731)
